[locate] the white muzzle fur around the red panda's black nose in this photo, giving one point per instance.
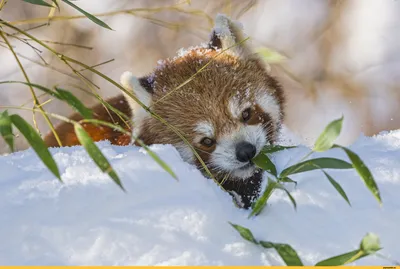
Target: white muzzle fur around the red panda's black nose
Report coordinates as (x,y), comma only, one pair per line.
(224,155)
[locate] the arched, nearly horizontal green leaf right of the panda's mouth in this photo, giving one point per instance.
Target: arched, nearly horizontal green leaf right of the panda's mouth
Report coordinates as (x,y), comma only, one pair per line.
(313,164)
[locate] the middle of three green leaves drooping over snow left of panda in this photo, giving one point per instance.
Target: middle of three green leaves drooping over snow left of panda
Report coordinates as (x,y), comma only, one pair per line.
(96,155)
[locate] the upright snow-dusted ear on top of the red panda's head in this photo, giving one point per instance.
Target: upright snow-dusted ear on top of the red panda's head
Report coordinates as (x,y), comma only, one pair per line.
(228,35)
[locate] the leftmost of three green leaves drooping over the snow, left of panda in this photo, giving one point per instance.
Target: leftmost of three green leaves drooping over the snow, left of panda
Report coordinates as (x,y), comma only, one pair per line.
(36,143)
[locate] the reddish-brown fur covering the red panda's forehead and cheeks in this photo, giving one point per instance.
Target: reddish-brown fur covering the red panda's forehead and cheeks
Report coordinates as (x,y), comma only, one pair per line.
(205,97)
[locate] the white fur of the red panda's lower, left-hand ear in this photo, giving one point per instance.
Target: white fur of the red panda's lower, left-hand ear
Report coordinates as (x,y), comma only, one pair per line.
(131,83)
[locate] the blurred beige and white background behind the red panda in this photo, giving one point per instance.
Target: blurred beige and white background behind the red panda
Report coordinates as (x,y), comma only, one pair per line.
(341,57)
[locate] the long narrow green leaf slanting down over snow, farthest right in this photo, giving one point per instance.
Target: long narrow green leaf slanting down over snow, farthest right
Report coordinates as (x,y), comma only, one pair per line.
(363,172)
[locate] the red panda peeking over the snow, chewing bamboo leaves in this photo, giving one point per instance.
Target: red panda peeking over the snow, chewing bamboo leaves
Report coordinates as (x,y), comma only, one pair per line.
(228,111)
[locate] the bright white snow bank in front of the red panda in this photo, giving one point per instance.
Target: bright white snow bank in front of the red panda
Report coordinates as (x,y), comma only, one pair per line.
(88,220)
